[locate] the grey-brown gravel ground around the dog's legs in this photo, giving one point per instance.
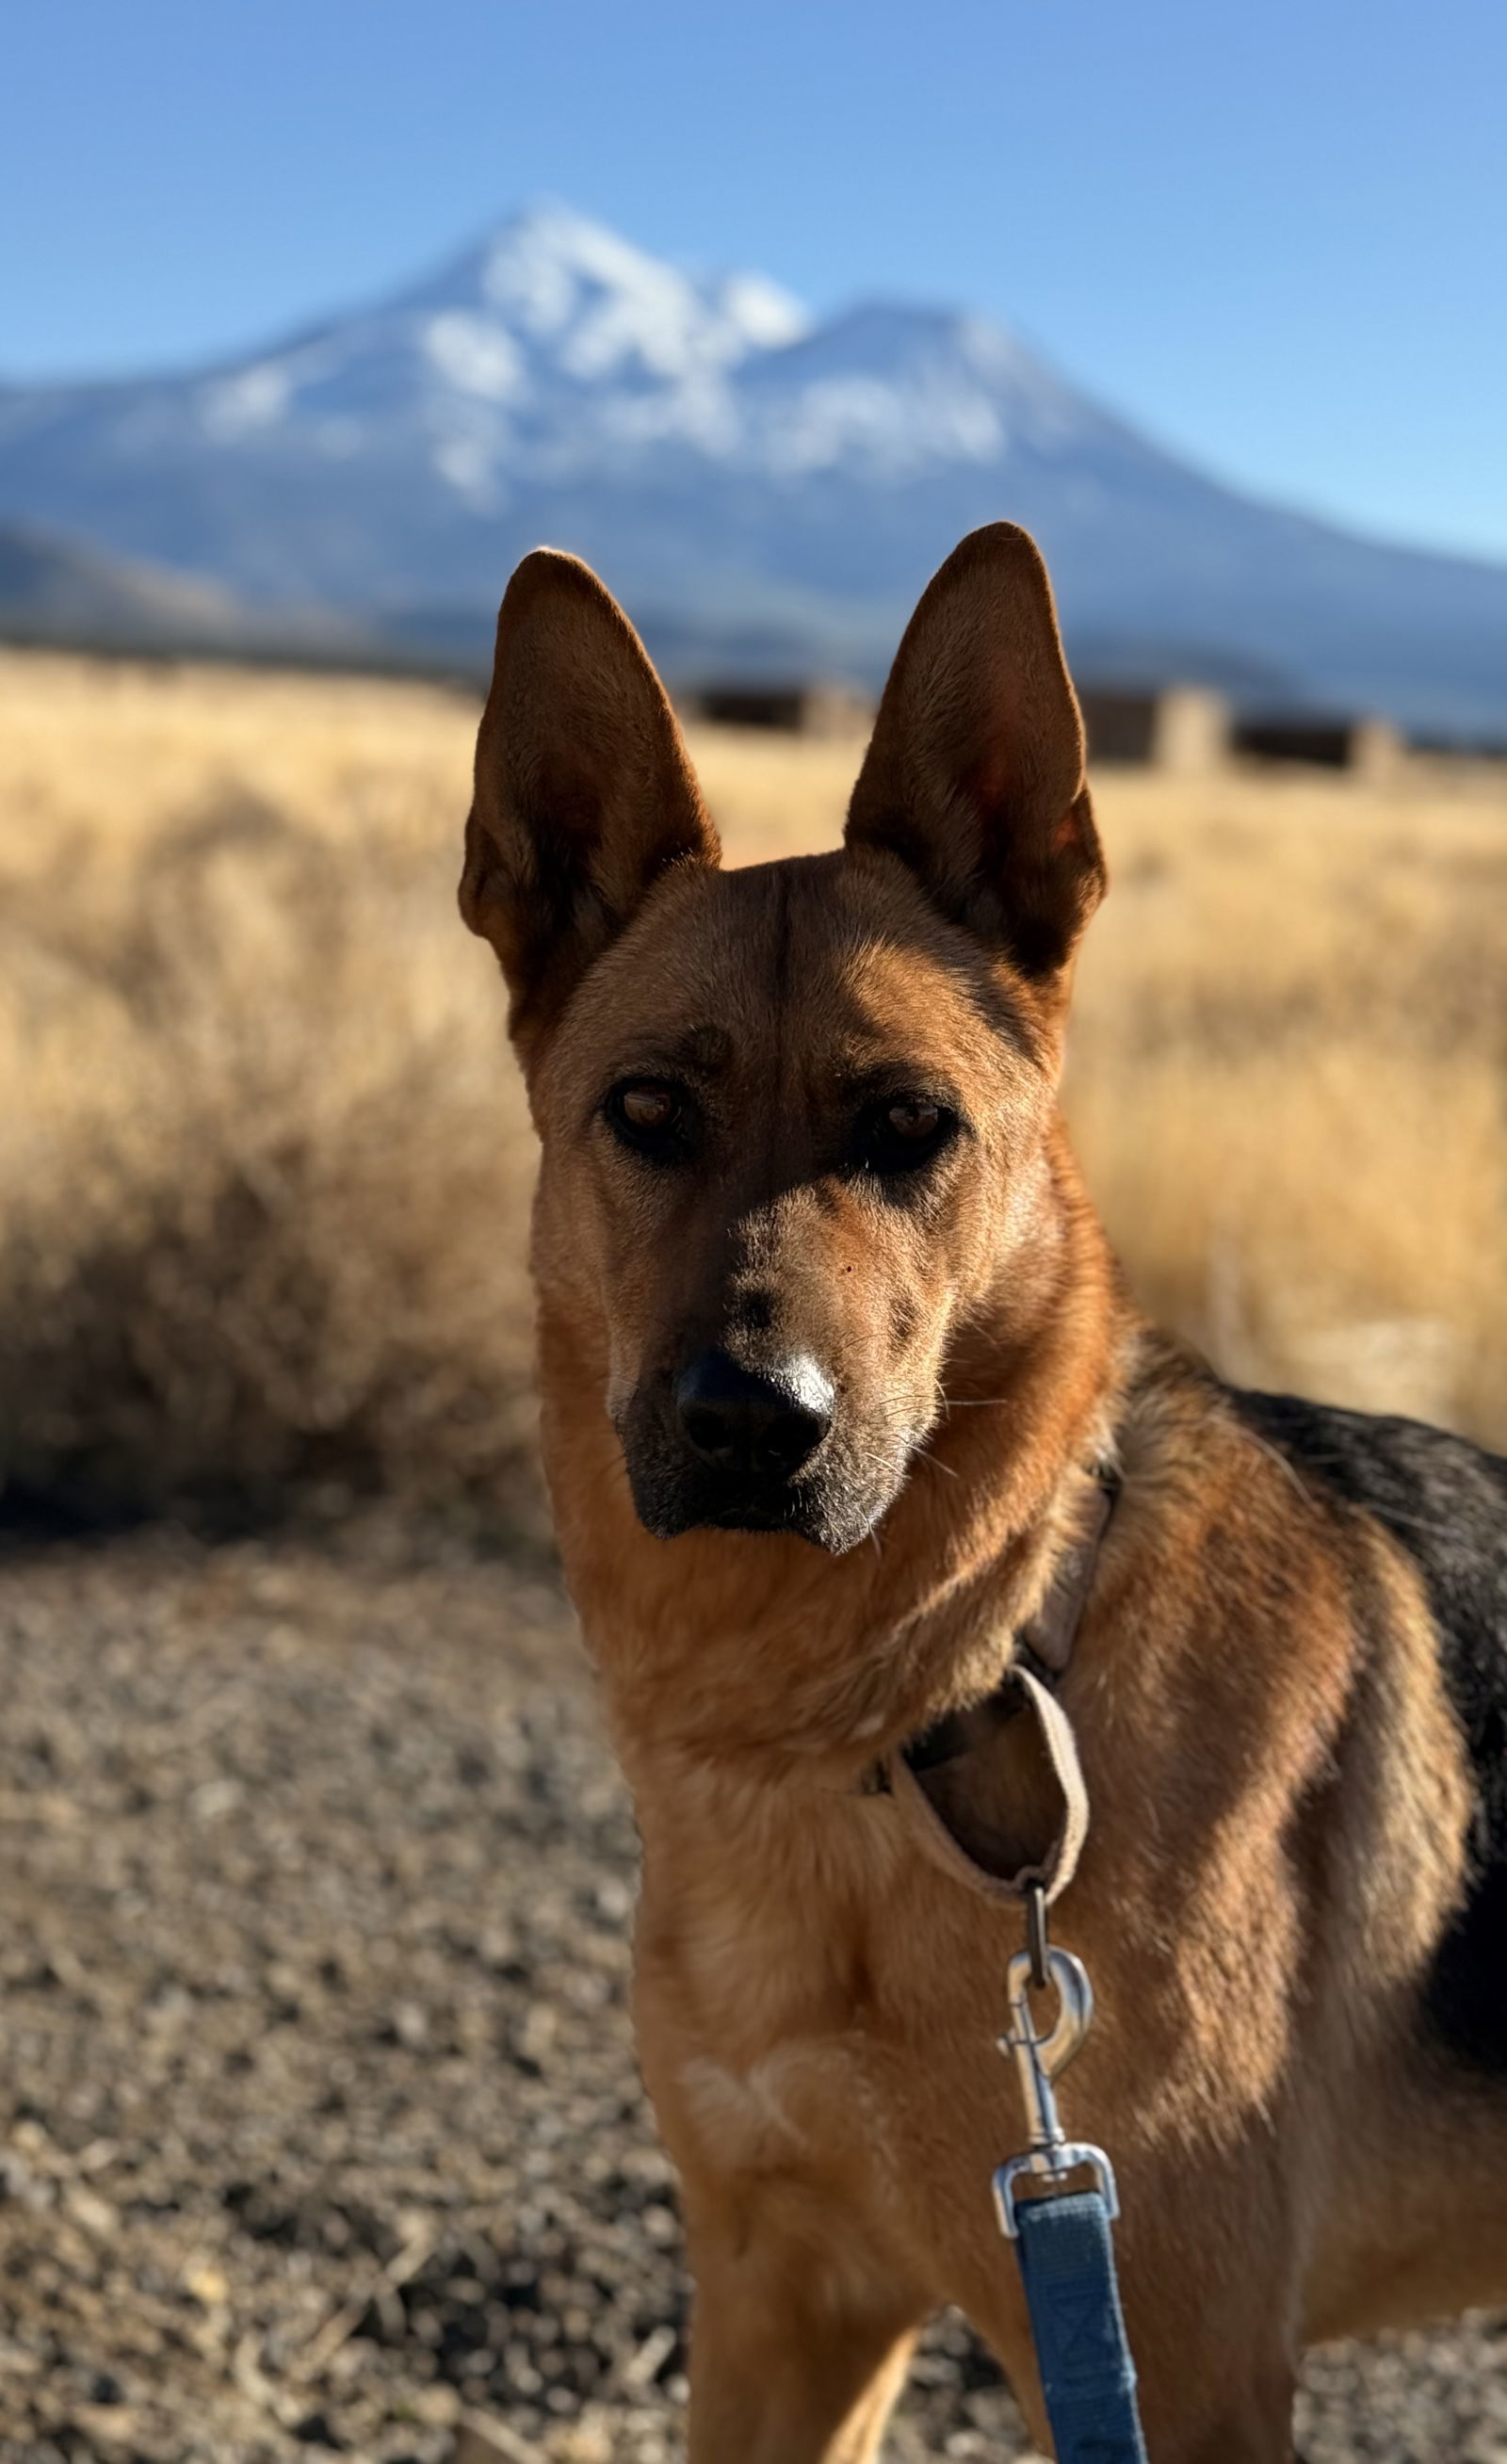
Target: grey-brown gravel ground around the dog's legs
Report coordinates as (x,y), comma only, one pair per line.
(321,2123)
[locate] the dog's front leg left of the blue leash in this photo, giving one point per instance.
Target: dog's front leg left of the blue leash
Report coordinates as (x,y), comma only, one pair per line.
(799,2349)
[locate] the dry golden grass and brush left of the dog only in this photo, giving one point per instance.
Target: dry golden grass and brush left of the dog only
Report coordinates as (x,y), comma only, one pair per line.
(262,1149)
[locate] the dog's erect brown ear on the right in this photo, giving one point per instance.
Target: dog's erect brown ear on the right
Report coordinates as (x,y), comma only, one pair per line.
(976,770)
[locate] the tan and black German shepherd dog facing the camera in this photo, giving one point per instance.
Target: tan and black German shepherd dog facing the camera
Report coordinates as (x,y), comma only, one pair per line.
(834,1354)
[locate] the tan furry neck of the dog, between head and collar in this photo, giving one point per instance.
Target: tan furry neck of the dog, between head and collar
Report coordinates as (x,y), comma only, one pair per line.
(765,1650)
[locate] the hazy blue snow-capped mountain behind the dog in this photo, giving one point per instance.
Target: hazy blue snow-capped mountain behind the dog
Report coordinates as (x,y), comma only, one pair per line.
(760,489)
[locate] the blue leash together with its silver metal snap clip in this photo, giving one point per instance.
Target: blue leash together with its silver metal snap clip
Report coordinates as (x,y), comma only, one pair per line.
(1063,2239)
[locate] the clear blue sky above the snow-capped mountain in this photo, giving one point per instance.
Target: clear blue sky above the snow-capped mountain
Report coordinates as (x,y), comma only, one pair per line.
(1272,235)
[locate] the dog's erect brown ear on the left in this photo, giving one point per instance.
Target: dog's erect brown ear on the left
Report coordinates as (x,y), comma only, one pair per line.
(585,792)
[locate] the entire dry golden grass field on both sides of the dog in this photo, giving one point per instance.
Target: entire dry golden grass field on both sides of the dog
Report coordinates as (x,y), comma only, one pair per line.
(265,1159)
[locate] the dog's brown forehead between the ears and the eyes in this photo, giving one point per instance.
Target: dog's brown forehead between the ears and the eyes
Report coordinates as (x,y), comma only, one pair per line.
(819,952)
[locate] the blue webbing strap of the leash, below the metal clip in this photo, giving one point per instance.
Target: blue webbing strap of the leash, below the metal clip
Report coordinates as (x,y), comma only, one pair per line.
(1067,2263)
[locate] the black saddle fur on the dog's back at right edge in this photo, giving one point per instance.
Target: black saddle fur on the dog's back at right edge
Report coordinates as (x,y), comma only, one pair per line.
(1447,1504)
